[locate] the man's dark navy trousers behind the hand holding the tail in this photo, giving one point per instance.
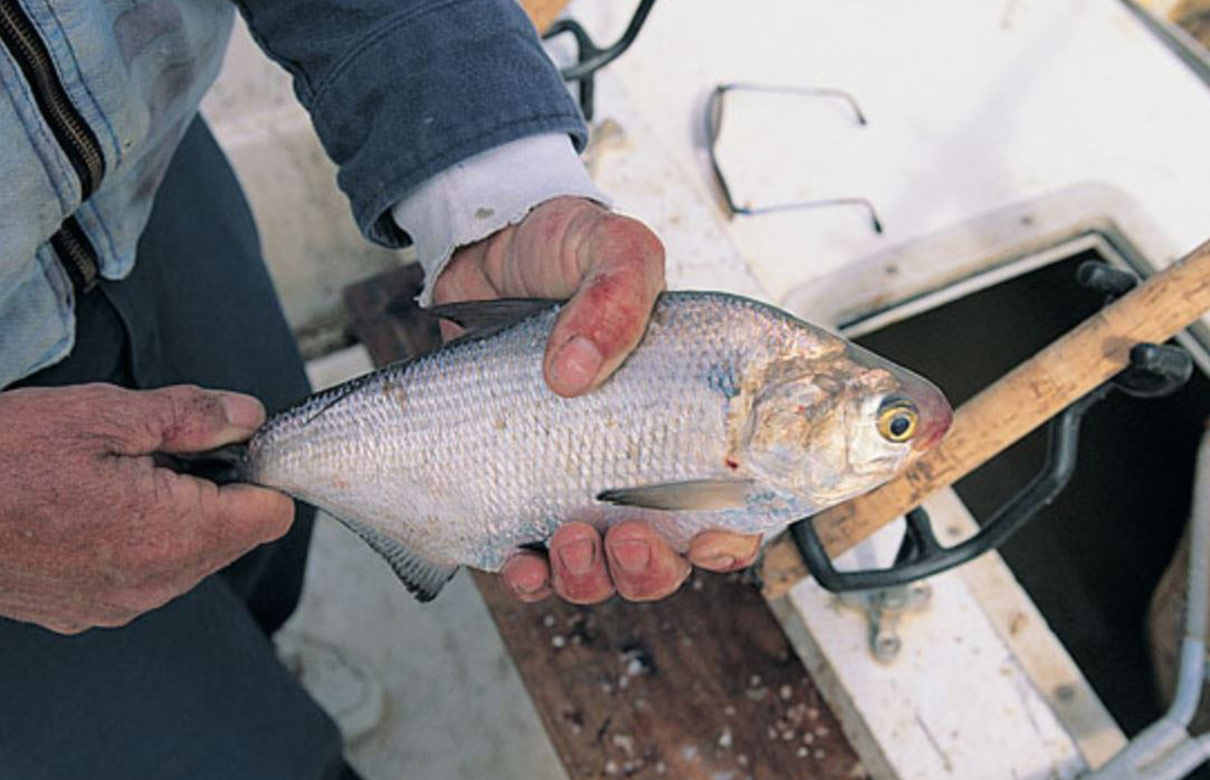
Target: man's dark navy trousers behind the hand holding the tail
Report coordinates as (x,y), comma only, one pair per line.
(192,690)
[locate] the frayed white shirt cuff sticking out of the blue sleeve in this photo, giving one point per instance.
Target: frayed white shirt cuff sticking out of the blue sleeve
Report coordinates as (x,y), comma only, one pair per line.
(483,194)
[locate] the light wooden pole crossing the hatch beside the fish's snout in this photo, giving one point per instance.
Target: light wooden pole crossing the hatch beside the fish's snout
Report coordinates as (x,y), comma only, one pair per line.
(1013,407)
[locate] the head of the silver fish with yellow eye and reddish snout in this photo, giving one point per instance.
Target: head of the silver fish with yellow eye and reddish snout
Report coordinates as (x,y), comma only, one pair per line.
(836,427)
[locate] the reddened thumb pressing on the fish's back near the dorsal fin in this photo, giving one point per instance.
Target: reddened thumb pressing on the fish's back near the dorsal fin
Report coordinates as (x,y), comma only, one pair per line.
(624,271)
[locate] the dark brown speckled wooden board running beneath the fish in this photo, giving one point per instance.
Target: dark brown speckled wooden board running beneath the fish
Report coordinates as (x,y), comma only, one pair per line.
(700,686)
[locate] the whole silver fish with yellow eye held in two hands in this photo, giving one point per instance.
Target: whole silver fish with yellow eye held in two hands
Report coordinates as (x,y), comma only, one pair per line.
(731,414)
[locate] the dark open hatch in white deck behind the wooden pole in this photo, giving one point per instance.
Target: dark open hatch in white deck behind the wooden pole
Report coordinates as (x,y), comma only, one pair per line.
(1093,558)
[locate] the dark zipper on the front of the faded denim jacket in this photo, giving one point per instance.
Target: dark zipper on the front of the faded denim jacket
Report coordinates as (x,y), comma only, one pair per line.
(79,143)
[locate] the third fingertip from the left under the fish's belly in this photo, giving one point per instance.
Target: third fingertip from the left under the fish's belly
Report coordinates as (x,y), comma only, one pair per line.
(642,564)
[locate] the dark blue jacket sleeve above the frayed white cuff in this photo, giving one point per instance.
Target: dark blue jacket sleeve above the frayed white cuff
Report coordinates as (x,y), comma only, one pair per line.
(401,90)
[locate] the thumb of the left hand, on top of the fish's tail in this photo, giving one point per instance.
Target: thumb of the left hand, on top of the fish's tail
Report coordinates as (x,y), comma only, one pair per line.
(188,419)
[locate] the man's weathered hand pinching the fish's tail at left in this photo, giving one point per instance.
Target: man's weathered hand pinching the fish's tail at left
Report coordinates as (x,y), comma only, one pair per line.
(91,533)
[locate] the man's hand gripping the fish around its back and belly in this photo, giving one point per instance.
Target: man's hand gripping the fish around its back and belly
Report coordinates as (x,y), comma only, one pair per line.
(612,269)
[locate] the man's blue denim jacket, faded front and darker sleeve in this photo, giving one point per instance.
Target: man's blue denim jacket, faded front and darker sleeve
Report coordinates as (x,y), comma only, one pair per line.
(399,90)
